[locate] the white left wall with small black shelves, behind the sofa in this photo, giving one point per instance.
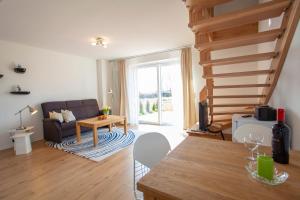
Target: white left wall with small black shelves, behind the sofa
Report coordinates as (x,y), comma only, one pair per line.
(50,76)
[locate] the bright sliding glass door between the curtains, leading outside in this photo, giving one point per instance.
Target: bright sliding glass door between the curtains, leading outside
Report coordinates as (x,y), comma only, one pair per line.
(160,93)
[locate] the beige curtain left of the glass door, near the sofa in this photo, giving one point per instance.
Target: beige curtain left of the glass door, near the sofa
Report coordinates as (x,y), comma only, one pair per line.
(123,88)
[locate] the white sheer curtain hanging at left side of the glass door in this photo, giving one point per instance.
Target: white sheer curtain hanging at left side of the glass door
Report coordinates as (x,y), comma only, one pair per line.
(132,93)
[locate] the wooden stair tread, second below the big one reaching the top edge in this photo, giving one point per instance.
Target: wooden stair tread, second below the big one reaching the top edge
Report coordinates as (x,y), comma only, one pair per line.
(239,59)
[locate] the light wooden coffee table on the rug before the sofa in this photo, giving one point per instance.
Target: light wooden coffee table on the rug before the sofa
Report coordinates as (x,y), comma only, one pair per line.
(94,123)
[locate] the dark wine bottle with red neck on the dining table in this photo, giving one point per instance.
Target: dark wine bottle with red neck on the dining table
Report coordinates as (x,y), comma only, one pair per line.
(281,139)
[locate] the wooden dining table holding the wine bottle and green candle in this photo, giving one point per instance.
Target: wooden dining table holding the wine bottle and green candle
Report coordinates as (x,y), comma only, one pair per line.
(201,168)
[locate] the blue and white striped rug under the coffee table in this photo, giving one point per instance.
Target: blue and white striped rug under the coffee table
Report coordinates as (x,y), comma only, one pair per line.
(109,143)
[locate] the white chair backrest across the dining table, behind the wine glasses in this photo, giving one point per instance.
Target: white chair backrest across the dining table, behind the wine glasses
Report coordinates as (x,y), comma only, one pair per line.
(254,129)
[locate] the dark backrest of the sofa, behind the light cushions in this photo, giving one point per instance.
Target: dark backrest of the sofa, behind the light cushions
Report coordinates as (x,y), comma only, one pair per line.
(81,109)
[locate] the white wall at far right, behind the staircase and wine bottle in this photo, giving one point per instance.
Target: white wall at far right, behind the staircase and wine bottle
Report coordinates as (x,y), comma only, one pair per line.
(286,93)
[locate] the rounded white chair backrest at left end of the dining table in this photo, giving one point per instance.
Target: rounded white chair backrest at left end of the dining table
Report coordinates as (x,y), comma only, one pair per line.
(150,148)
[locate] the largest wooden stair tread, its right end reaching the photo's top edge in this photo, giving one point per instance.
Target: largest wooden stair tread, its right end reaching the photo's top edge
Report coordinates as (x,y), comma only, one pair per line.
(245,16)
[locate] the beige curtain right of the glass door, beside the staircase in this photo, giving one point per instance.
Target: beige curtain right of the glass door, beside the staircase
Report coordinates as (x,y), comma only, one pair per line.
(189,108)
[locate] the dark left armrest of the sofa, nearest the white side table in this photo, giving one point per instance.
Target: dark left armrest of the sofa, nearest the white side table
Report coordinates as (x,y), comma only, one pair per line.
(52,130)
